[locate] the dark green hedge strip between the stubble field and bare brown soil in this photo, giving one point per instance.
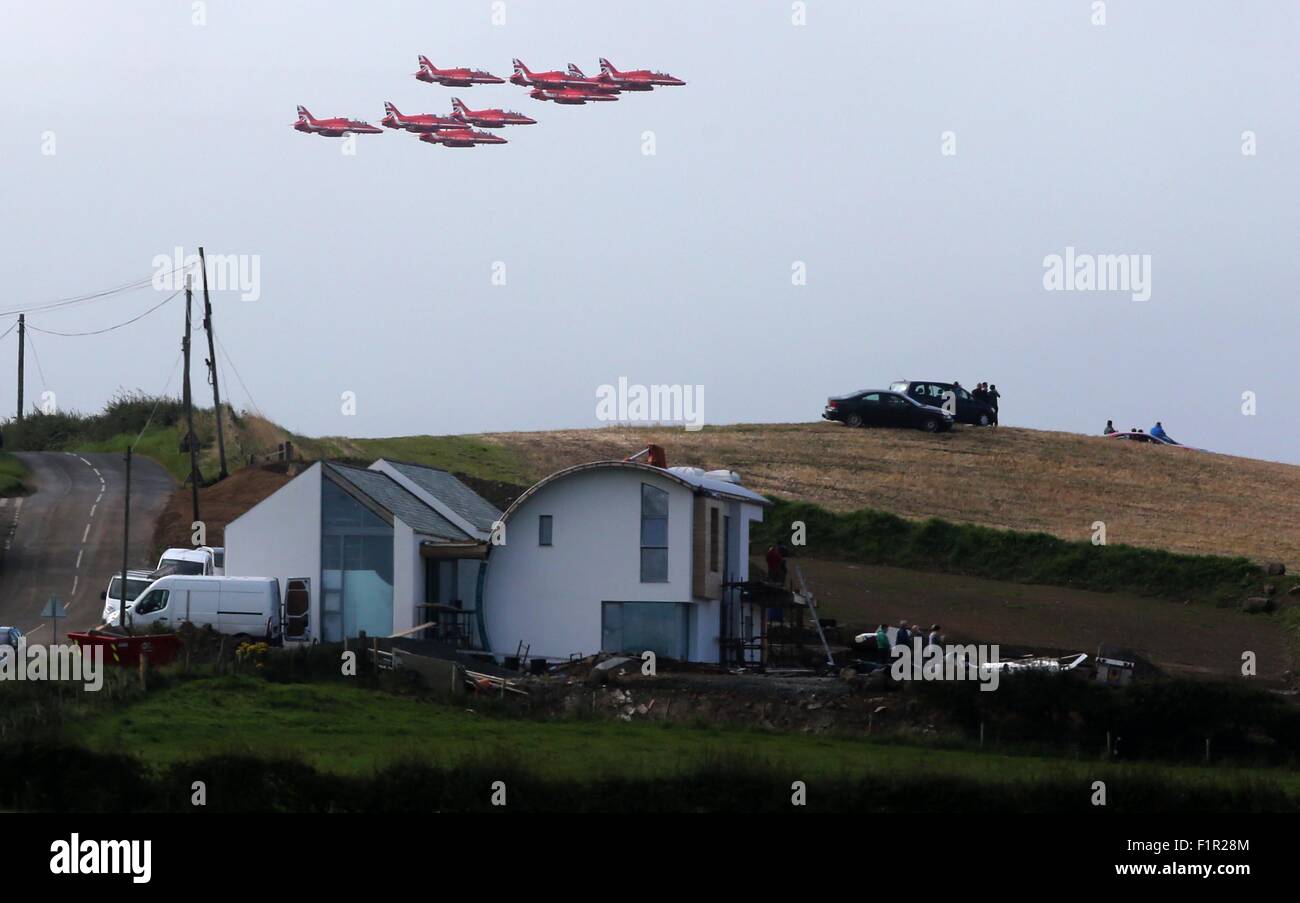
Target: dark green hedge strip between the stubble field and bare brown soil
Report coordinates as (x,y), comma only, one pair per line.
(873,537)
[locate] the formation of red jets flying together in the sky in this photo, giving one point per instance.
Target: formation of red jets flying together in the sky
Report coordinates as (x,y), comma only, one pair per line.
(465,127)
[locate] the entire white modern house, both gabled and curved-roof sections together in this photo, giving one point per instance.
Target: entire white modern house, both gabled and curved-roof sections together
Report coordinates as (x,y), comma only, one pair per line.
(610,557)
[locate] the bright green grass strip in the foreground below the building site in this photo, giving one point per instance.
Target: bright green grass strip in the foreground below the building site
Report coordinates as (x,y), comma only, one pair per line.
(346,730)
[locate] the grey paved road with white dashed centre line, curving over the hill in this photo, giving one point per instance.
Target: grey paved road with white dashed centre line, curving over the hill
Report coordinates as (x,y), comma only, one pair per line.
(67,537)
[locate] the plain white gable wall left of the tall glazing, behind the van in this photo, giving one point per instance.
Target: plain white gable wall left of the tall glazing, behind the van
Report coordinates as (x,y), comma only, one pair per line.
(281,537)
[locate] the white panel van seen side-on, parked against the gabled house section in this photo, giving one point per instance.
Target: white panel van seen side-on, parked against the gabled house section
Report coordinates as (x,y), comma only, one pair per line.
(237,606)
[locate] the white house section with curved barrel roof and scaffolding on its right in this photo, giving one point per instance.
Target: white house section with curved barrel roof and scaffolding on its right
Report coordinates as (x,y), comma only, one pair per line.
(623,557)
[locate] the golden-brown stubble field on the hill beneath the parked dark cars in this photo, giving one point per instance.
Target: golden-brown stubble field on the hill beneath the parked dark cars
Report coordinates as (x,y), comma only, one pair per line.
(1012,479)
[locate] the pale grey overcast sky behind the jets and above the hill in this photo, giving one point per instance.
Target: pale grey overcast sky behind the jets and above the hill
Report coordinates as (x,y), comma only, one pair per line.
(818,144)
